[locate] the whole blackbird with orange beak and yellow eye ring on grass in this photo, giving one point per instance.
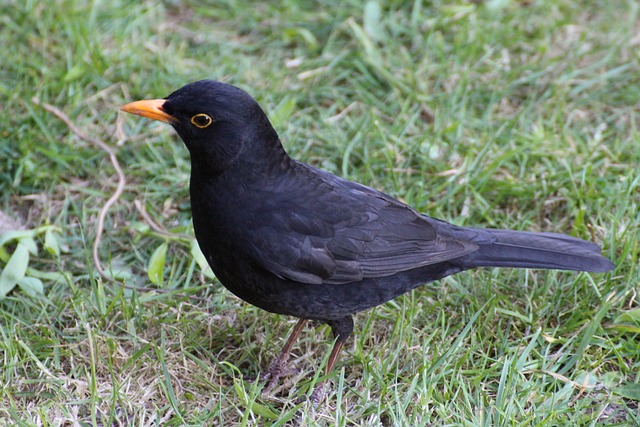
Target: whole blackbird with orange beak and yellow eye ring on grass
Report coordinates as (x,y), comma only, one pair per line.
(296,240)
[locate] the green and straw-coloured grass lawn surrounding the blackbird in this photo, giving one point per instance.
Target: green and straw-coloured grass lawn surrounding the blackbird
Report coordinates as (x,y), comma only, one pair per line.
(511,114)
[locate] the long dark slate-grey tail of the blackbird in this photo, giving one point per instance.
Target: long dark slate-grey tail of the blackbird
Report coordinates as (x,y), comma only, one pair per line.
(520,249)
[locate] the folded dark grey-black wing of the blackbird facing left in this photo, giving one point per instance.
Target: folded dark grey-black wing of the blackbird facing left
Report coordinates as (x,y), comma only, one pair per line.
(334,231)
